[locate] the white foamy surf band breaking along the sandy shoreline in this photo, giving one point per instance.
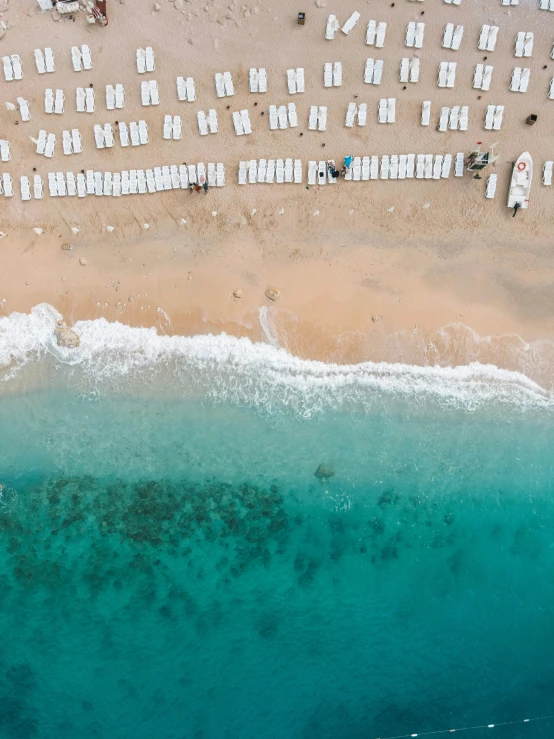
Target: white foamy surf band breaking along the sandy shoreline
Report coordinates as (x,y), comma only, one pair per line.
(113,356)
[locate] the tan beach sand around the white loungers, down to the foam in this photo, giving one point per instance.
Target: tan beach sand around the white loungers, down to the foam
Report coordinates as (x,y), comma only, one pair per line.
(366,270)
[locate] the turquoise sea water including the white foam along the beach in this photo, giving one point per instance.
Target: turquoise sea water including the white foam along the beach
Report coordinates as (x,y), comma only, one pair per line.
(171,566)
